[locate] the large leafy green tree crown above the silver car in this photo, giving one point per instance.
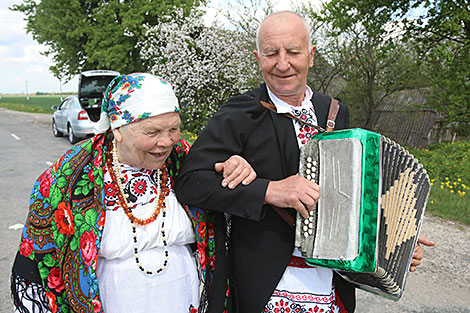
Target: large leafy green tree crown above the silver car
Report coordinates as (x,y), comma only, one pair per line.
(95,34)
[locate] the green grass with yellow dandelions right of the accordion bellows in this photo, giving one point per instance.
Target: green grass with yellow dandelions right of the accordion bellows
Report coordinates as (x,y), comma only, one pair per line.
(448,166)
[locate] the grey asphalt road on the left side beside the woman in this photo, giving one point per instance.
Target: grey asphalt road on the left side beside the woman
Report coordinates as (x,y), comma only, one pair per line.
(27,145)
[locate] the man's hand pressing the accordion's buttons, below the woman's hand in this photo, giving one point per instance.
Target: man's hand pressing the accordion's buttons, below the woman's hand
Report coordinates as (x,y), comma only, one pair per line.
(293,192)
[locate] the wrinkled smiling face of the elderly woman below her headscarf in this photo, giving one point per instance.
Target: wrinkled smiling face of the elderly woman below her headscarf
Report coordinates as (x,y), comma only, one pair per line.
(148,143)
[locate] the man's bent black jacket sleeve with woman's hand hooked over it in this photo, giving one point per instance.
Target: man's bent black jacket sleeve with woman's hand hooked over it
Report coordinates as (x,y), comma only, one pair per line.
(225,135)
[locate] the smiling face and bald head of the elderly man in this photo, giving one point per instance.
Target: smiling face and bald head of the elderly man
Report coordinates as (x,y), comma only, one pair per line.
(284,57)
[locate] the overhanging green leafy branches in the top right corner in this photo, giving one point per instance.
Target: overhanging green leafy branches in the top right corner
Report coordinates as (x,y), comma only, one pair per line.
(440,31)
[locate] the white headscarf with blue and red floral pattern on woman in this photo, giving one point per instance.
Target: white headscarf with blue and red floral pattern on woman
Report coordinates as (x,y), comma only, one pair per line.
(134,97)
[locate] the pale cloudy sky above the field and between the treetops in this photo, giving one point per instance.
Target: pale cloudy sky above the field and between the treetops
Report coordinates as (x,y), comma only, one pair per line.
(22,67)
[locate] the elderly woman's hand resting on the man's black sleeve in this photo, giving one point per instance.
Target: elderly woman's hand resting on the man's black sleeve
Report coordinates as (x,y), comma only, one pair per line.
(235,170)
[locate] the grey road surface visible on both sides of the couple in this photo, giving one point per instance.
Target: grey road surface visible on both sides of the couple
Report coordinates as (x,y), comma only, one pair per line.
(442,283)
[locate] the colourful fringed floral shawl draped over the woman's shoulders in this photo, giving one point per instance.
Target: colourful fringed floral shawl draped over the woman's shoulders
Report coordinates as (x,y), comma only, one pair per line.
(59,246)
